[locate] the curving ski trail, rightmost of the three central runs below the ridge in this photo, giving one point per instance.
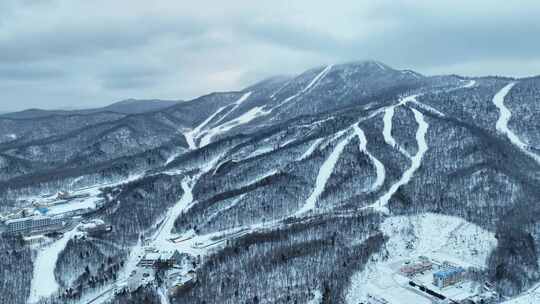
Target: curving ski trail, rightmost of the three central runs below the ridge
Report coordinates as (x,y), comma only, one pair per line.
(416,161)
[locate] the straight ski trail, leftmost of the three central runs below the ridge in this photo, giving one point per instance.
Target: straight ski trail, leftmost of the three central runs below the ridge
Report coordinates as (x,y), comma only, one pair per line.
(322,178)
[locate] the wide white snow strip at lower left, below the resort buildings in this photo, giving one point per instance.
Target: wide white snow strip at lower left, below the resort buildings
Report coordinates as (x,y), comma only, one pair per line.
(43,282)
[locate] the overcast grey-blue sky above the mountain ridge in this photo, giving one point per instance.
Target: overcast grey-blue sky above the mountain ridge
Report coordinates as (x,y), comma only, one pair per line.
(76,54)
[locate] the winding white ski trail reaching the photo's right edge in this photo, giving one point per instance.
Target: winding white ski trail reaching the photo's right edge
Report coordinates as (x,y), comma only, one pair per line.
(504,118)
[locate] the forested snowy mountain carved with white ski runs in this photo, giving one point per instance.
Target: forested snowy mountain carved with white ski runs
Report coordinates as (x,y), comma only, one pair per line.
(305,189)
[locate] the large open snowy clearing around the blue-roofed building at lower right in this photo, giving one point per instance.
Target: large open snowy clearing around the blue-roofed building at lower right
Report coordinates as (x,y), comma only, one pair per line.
(438,237)
